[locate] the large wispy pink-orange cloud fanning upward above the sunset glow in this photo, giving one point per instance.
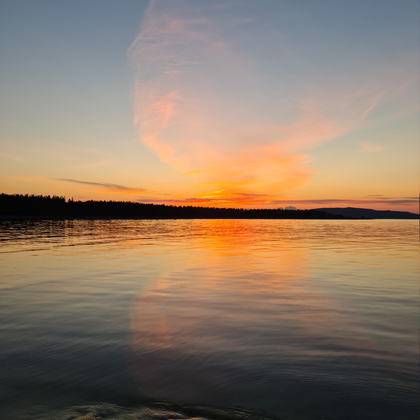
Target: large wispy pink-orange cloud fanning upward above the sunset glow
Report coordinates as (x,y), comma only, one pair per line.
(203,105)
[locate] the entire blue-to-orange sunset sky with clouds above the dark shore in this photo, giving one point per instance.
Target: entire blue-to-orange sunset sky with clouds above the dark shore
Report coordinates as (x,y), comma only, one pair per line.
(222,103)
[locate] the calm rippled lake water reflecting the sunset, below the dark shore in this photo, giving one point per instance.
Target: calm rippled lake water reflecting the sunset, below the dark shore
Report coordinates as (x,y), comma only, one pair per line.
(293,319)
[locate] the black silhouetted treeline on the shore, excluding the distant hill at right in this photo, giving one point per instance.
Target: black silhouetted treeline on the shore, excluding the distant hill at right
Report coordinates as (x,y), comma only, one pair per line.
(59,207)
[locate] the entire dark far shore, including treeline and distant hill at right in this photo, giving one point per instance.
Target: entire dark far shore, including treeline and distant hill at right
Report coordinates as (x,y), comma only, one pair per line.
(38,207)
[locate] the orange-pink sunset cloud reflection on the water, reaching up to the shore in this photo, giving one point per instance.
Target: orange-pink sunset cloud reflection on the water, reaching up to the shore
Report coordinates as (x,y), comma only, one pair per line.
(242,294)
